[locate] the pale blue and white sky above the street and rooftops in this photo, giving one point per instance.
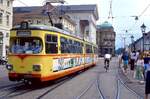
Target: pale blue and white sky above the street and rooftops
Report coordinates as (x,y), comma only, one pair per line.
(123,11)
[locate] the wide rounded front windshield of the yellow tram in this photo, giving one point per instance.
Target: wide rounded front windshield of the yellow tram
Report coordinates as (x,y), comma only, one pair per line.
(23,45)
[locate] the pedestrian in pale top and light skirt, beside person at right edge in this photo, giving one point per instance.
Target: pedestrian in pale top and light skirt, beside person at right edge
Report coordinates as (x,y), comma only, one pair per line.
(139,69)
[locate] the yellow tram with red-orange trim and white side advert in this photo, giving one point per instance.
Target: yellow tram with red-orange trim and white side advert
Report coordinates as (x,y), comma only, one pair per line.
(43,53)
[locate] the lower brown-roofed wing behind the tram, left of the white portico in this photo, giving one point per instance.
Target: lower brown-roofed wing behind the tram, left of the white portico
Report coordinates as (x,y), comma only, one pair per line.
(38,15)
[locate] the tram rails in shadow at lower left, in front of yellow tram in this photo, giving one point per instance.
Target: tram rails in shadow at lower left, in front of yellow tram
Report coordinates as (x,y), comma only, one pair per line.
(14,90)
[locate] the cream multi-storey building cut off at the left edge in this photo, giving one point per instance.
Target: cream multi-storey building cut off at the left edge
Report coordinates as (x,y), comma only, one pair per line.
(5,25)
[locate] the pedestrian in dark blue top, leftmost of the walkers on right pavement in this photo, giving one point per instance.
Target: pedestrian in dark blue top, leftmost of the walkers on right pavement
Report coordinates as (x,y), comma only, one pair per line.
(125,58)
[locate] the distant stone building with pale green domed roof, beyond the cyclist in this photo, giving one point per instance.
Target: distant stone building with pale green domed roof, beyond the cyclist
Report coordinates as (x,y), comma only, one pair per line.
(105,39)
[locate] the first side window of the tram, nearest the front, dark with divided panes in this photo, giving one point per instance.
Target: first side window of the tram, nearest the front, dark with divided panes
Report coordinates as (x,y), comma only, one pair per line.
(51,44)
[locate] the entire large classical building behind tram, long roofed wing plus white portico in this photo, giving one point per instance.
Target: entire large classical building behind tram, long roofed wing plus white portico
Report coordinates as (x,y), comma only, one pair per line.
(80,20)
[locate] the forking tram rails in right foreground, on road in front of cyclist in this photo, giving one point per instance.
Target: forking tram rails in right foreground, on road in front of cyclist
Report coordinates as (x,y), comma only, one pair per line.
(119,85)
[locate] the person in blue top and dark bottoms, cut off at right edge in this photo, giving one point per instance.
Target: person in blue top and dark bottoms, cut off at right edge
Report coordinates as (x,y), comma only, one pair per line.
(147,77)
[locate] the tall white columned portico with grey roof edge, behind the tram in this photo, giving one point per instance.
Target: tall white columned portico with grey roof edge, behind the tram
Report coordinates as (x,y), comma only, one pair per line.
(85,17)
